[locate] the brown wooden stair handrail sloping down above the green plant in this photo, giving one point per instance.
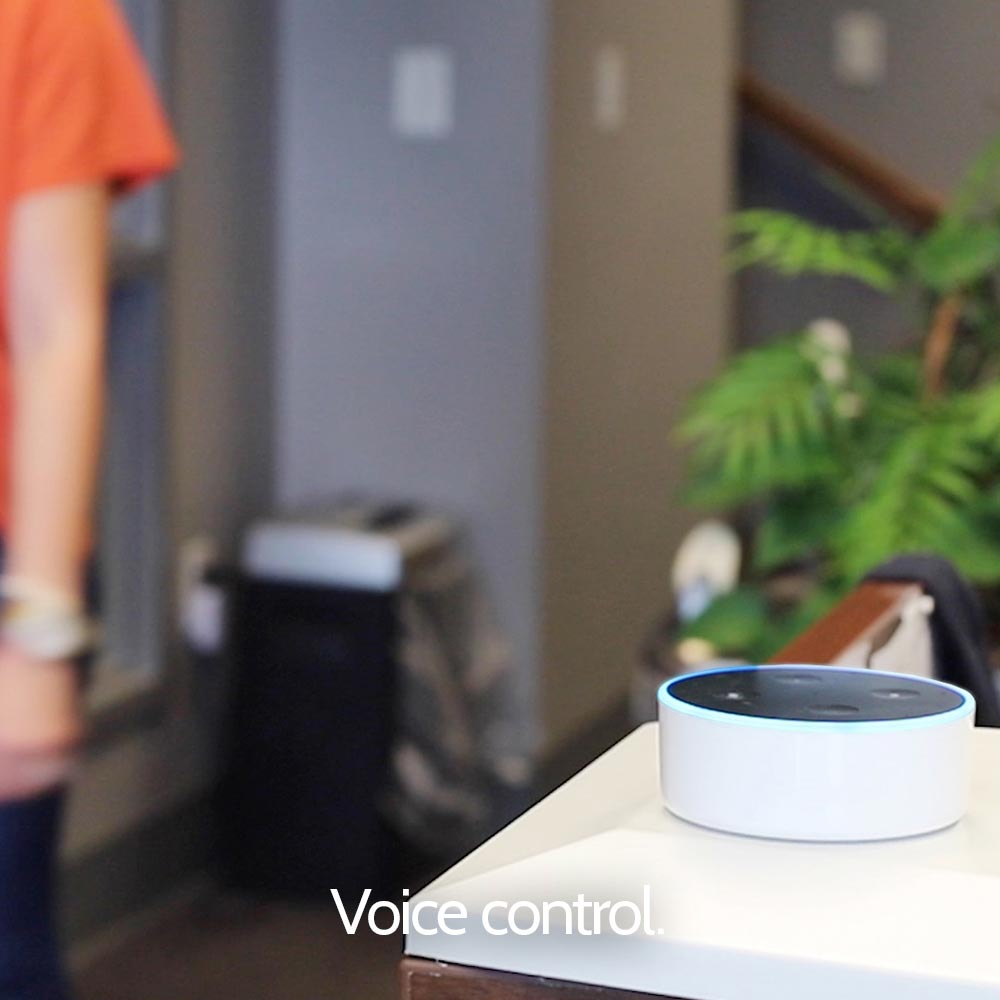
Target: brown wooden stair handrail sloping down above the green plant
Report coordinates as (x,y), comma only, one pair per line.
(897,193)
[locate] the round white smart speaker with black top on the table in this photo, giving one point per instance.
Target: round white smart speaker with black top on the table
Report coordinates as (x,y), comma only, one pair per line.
(815,753)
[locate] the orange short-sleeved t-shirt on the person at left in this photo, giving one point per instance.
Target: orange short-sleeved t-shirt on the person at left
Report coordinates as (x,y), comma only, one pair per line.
(76,106)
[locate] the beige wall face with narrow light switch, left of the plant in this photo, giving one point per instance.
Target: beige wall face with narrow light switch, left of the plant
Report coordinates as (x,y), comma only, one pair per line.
(637,314)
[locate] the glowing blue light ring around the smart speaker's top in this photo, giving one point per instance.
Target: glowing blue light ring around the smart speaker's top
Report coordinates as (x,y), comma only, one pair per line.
(664,697)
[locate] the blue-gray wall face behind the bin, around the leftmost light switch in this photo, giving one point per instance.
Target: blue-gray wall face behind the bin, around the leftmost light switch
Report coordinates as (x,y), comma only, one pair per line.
(409,276)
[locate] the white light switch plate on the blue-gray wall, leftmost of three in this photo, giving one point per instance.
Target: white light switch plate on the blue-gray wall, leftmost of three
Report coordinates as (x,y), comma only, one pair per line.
(423,92)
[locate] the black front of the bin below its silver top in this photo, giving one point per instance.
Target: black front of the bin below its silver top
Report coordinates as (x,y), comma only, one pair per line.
(310,740)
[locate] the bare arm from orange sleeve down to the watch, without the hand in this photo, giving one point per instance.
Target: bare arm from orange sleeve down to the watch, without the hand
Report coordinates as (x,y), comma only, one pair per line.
(56,324)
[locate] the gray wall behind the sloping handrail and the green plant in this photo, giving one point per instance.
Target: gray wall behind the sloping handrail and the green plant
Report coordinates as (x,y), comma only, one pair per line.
(939,103)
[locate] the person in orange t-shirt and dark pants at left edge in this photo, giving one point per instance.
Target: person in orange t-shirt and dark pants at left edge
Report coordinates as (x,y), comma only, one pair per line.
(79,124)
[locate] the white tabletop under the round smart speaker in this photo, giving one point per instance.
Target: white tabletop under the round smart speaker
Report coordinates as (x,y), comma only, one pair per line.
(741,919)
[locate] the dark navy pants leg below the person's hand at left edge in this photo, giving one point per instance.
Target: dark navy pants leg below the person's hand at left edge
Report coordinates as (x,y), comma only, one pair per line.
(30,968)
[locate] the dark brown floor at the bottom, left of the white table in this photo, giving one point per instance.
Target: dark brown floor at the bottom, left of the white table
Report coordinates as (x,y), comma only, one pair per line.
(224,949)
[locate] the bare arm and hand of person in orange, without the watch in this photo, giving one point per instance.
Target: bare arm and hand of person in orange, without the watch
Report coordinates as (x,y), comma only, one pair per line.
(57,278)
